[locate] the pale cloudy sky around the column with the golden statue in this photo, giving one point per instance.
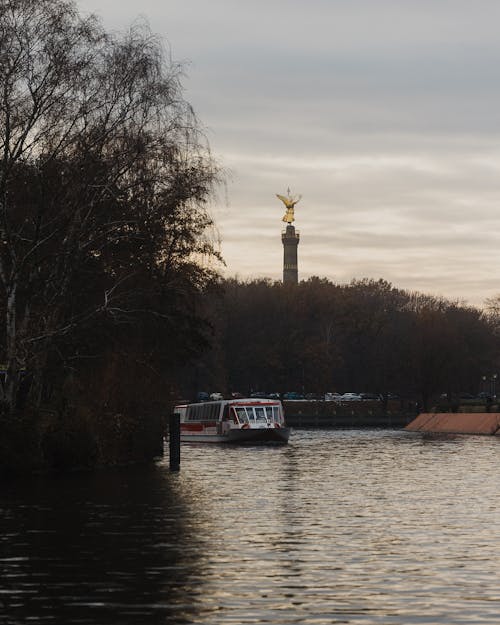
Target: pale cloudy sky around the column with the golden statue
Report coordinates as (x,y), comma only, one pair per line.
(383,114)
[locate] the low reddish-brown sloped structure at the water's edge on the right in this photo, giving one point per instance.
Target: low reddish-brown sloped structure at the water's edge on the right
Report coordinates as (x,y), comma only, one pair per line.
(456,423)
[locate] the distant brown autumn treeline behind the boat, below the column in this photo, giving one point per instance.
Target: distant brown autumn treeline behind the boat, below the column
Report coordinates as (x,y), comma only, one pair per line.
(367,336)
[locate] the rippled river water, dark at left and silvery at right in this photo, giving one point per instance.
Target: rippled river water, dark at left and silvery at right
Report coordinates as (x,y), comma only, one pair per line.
(379,527)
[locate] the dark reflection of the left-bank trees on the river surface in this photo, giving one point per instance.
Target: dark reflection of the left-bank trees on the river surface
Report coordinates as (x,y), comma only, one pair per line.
(107,548)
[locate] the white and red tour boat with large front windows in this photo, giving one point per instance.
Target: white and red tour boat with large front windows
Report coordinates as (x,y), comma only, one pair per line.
(242,421)
